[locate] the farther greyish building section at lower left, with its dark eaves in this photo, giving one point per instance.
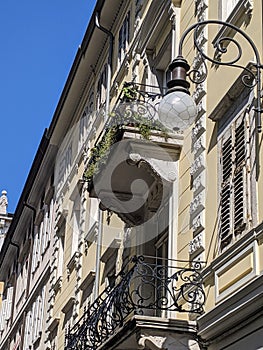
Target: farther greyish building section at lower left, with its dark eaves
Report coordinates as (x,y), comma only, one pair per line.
(25,256)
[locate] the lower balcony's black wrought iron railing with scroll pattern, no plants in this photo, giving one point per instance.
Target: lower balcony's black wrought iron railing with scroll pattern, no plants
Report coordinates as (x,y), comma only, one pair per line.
(147,285)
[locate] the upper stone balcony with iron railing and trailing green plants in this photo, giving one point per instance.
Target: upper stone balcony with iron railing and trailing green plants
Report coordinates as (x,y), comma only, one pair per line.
(134,161)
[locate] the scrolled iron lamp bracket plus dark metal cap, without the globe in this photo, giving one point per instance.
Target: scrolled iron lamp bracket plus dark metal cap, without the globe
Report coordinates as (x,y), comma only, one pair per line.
(251,78)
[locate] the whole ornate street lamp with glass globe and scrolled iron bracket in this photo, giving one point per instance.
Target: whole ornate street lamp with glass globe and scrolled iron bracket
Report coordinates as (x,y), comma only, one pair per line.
(177,110)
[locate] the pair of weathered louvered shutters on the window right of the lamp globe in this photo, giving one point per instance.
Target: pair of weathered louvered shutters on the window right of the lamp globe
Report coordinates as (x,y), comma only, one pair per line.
(234,181)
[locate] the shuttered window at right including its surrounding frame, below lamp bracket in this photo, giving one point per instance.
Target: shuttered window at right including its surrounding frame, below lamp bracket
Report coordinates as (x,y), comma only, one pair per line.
(234,199)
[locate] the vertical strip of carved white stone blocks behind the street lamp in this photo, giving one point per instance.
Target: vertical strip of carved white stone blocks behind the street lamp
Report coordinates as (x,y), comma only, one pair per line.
(197,171)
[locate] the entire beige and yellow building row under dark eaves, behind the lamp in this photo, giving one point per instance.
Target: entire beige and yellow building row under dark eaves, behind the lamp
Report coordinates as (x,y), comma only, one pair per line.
(130,235)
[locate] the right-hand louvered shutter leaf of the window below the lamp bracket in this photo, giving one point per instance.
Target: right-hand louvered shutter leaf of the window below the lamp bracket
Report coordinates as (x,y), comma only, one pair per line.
(239,180)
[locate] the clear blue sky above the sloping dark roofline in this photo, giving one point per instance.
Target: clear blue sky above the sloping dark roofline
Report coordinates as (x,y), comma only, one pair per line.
(39,40)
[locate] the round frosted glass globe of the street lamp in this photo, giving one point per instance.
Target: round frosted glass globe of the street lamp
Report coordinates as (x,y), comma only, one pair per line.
(177,110)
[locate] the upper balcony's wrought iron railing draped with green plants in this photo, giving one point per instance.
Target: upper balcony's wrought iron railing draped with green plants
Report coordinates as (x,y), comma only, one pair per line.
(137,107)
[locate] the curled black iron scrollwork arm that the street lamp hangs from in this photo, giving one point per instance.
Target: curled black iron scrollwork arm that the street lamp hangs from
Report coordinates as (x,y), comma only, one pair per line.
(222,47)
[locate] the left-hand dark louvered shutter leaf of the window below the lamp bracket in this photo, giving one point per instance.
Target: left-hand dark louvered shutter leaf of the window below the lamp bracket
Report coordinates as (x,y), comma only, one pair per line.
(226,159)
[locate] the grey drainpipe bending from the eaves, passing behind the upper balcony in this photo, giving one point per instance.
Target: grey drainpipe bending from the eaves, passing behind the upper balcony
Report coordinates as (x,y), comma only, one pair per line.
(107,107)
